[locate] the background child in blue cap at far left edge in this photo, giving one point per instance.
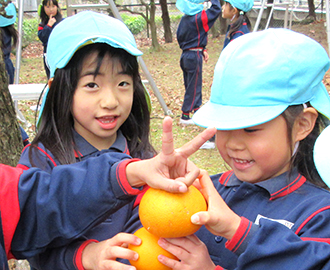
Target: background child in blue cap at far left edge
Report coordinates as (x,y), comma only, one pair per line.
(9,38)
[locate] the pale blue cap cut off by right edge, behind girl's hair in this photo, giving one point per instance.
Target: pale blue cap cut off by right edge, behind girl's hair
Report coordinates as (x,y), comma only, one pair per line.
(321,155)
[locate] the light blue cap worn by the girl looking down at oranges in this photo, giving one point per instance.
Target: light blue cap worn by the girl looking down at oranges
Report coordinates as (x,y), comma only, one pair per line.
(260,74)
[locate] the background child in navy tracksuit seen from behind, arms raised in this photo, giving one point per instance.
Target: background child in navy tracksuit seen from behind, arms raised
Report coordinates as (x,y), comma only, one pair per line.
(192,38)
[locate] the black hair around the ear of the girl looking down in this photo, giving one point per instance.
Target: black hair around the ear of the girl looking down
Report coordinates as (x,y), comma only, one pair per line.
(303,158)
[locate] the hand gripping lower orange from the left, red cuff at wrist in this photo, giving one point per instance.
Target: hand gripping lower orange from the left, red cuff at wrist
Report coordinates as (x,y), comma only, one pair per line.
(103,255)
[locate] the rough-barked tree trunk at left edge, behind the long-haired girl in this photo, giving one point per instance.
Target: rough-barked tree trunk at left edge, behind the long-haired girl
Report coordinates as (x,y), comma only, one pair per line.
(11,142)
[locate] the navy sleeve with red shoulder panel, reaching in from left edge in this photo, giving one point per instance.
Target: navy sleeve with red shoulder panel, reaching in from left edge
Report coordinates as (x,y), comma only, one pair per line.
(44,209)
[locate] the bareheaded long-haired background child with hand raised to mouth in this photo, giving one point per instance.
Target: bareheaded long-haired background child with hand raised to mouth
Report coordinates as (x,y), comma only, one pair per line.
(50,16)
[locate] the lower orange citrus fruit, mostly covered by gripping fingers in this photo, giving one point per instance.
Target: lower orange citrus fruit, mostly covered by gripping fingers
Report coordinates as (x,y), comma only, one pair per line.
(148,252)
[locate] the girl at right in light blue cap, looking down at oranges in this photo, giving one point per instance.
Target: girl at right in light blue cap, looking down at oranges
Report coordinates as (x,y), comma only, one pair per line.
(268,104)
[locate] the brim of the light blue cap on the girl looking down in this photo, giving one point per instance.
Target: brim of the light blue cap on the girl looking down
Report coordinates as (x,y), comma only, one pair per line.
(232,117)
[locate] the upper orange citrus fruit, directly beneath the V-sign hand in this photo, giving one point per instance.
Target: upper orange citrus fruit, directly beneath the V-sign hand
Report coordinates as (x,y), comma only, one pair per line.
(167,215)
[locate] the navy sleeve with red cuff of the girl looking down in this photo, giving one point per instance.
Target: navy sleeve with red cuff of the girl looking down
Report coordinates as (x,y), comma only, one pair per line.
(272,245)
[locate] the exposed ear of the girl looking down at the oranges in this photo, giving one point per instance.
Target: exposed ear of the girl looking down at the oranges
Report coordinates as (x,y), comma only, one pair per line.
(305,123)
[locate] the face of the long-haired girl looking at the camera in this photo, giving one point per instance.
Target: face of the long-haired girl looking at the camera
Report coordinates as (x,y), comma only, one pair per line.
(101,102)
